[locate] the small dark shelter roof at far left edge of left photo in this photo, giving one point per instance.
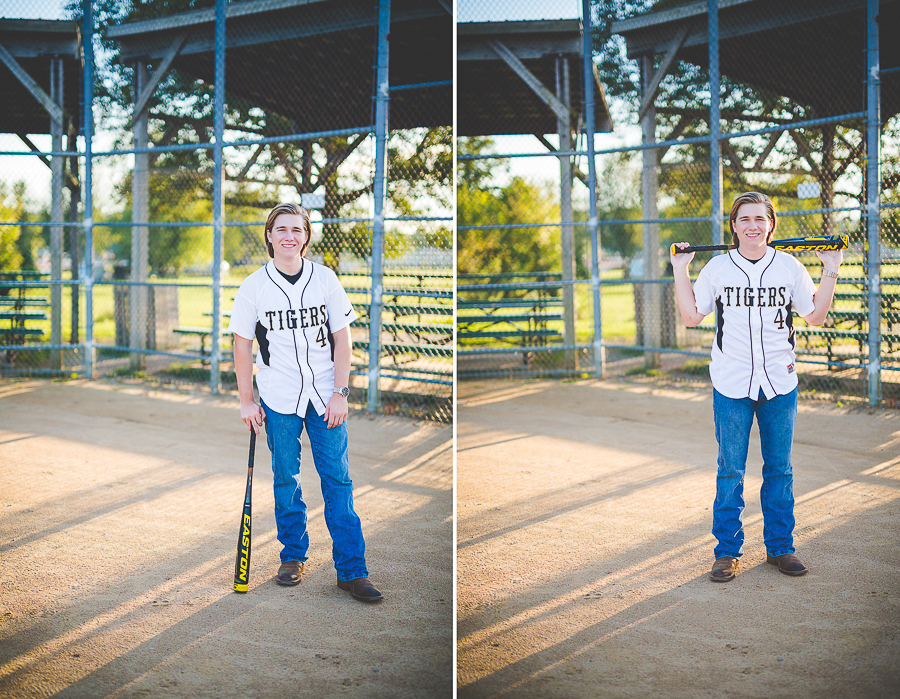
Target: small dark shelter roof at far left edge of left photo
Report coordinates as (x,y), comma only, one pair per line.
(32,44)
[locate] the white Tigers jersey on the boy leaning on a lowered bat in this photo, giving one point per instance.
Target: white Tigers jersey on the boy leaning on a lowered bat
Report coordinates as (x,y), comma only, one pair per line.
(293,324)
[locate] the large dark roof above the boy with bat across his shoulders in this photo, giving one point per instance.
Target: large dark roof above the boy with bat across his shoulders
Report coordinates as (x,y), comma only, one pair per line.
(812,51)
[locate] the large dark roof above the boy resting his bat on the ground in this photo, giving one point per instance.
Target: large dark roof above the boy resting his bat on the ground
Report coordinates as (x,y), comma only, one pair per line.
(289,56)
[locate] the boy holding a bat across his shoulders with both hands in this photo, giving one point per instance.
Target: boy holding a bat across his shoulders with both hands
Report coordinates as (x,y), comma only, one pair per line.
(753,289)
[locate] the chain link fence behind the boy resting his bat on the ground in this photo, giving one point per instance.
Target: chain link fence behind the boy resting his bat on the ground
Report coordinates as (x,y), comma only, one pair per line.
(196,127)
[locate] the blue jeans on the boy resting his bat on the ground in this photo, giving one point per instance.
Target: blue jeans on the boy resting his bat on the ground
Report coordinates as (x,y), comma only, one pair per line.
(329,448)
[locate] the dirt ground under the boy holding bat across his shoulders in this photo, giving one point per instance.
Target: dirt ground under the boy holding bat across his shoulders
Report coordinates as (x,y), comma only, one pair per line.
(583,547)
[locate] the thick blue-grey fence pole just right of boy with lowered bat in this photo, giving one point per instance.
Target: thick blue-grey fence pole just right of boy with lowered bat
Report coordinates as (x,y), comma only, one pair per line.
(381,118)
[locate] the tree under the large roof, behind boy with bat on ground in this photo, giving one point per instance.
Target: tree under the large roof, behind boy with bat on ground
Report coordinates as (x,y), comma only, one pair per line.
(258,177)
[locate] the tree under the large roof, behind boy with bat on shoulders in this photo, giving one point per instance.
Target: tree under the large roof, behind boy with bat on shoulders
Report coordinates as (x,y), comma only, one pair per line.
(771,164)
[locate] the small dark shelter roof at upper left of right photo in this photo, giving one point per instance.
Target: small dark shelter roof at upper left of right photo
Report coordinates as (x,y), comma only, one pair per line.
(493,100)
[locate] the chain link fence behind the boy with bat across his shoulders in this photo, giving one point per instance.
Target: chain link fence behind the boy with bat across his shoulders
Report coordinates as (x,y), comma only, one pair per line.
(793,119)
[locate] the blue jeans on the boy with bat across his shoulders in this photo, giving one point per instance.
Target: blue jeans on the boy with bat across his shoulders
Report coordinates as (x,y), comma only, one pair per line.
(776,418)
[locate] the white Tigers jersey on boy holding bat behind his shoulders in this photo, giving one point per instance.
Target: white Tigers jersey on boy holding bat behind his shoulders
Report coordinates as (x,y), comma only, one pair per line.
(753,347)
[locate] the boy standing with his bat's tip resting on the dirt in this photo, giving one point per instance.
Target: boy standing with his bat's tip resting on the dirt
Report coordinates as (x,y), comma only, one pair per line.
(300,315)
